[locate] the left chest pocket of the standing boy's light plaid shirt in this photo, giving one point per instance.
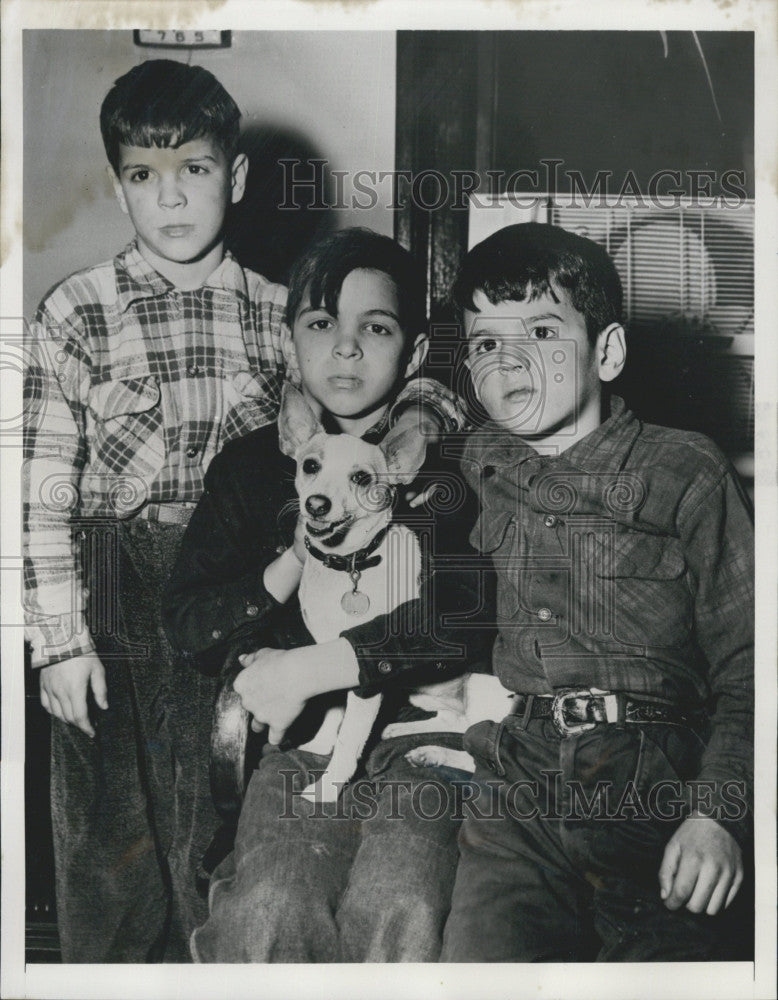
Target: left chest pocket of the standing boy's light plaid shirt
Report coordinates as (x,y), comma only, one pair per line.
(126,432)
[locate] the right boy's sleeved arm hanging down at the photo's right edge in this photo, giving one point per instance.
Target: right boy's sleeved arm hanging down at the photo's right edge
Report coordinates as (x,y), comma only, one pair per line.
(702,866)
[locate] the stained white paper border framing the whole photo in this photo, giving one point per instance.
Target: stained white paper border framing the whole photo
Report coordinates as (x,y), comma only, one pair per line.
(725,981)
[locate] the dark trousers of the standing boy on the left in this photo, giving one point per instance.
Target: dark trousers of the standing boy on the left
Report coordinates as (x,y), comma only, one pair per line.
(131,809)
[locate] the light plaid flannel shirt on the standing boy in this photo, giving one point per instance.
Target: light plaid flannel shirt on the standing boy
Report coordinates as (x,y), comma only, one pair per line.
(132,387)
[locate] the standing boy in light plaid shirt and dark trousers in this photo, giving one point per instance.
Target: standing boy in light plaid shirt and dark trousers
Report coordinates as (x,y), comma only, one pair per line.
(141,369)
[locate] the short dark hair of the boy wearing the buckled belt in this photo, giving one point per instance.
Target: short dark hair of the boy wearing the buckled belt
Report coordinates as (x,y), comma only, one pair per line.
(520,263)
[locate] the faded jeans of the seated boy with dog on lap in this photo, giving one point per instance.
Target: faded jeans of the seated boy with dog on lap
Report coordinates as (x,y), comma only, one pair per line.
(366,879)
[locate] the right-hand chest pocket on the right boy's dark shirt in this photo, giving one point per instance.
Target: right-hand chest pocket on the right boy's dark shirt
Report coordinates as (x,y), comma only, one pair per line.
(644,585)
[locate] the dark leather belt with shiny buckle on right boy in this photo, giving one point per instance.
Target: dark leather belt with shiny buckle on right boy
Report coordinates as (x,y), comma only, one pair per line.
(574,710)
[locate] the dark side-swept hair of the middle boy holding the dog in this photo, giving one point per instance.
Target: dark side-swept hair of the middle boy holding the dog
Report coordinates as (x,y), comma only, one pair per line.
(323,268)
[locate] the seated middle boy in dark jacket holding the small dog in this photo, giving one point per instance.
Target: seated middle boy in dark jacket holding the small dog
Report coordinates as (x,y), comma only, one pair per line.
(367,878)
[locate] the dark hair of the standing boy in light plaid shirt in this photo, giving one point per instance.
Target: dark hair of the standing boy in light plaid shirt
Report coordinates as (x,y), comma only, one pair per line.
(167,103)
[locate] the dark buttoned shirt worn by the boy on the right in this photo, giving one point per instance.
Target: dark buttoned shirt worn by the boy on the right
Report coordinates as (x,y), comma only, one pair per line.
(625,563)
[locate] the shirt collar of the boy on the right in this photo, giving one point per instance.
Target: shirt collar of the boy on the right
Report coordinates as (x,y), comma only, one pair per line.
(606,448)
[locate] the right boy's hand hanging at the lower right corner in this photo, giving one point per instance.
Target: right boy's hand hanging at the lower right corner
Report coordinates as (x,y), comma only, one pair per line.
(702,867)
